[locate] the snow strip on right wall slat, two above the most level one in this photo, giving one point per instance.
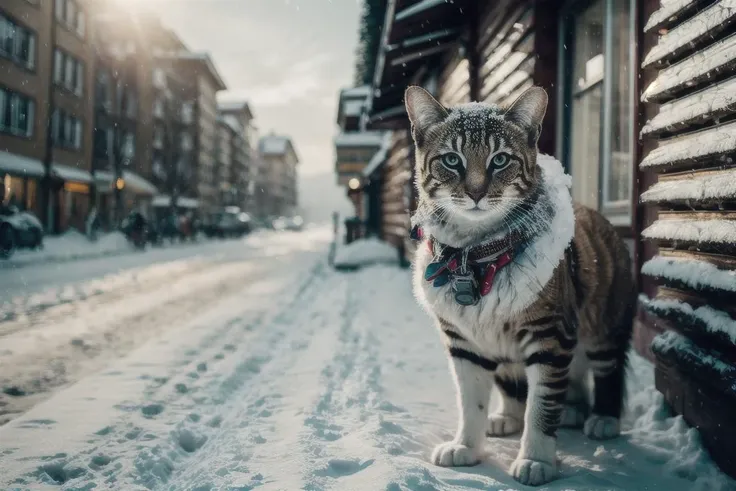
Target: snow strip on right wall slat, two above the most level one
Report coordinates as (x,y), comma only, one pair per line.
(697,145)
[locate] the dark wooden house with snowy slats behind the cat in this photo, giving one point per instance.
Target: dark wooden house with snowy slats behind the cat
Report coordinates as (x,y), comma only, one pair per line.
(642,114)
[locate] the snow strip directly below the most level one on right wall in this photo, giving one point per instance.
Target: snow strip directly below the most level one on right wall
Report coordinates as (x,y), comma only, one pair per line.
(697,274)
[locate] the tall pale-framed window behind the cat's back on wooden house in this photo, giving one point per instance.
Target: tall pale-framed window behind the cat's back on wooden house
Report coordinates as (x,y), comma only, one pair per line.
(596,139)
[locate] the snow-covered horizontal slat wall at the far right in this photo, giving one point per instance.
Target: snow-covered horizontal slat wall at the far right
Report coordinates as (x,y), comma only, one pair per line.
(693,140)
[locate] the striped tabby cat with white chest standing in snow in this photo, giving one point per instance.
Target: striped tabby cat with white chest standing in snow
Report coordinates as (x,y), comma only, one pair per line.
(531,293)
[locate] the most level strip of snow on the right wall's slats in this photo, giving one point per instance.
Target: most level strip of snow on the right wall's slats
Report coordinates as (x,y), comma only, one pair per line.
(703,231)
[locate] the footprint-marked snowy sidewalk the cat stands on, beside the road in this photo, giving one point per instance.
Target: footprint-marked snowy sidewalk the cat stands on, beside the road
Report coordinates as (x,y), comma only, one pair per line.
(305,378)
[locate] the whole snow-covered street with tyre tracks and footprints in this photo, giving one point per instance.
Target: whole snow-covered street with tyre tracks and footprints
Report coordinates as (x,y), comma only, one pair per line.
(251,364)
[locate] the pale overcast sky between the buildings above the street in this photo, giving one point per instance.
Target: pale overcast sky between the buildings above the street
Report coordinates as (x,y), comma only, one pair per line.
(288,58)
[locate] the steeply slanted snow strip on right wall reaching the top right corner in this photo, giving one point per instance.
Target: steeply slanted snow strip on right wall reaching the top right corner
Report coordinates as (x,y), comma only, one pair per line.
(691,30)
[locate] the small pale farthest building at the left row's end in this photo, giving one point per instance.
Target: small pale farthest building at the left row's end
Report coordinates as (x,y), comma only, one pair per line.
(279,183)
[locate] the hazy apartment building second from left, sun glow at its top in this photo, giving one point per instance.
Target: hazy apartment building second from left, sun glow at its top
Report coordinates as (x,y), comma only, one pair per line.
(123,113)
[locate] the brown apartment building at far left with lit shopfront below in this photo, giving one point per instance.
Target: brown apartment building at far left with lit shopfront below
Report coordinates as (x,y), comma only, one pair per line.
(38,39)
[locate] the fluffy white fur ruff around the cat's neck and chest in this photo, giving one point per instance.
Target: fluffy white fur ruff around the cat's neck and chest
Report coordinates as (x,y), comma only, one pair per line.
(516,286)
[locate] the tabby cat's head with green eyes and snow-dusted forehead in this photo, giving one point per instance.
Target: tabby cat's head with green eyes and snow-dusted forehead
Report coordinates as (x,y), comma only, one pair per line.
(475,162)
